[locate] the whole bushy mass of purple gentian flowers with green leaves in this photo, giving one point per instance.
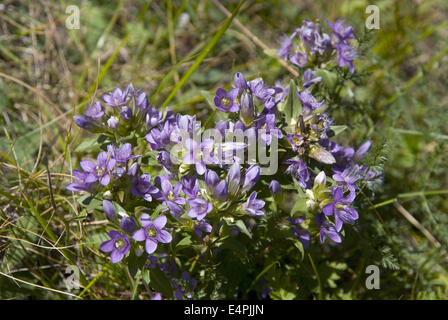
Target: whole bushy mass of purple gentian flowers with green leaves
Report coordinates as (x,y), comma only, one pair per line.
(184,184)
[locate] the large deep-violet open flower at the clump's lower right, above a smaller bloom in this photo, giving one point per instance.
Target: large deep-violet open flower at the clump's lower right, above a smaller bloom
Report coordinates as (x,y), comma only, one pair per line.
(343,213)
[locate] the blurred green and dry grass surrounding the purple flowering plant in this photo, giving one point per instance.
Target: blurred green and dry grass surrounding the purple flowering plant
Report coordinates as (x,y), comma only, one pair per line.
(48,73)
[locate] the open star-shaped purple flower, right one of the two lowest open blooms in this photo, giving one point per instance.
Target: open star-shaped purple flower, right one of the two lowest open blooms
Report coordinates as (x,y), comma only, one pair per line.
(152,232)
